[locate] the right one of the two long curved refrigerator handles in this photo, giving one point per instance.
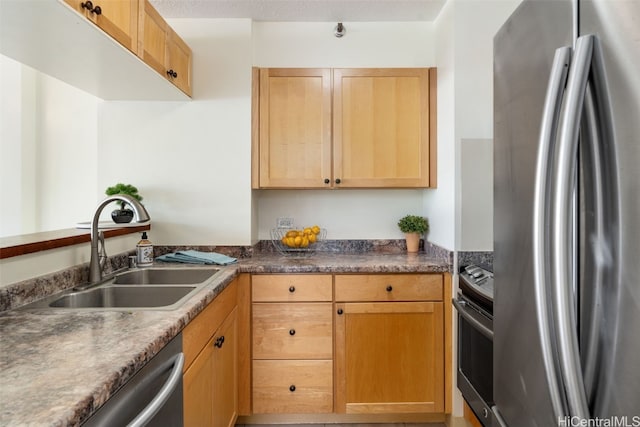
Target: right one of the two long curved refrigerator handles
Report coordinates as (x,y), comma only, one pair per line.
(562,226)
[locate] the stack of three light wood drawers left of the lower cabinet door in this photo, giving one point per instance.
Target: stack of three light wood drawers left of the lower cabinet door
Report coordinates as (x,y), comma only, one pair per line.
(292,343)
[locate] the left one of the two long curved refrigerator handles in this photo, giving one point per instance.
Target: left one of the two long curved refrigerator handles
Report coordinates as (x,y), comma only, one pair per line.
(541,219)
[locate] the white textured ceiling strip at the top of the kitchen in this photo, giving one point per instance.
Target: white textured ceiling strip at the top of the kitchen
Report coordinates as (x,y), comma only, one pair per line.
(303,10)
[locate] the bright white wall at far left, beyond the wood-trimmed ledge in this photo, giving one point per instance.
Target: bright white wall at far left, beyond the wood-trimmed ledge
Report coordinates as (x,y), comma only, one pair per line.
(49,145)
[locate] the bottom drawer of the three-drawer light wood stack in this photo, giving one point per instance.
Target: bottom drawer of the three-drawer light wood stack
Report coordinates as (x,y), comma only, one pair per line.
(292,386)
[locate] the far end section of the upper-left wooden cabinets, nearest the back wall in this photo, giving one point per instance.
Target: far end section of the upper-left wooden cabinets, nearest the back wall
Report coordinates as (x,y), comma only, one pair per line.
(162,49)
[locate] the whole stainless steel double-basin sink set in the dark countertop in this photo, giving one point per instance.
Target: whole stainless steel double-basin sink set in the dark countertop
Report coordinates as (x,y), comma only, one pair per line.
(149,288)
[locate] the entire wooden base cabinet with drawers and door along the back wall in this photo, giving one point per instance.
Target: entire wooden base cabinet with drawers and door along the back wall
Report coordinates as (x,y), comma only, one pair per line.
(349,348)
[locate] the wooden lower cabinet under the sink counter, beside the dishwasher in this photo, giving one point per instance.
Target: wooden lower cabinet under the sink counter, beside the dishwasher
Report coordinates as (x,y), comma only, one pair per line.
(210,389)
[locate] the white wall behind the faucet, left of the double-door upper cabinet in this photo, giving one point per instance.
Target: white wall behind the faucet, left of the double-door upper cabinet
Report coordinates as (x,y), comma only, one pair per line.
(191,161)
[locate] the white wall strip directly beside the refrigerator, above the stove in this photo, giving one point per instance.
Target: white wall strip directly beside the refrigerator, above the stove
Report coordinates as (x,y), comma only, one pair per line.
(476,22)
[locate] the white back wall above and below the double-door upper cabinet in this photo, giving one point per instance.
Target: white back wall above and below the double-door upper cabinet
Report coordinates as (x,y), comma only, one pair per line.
(346,214)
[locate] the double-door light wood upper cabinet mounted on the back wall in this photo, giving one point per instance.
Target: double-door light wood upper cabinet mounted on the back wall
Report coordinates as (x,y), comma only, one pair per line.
(344,128)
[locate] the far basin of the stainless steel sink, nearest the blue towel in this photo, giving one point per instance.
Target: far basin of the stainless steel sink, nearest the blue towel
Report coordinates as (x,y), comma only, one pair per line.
(157,276)
